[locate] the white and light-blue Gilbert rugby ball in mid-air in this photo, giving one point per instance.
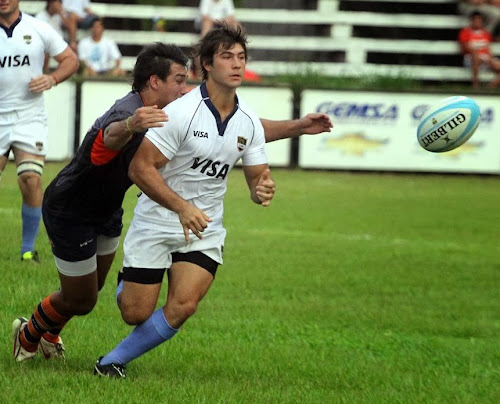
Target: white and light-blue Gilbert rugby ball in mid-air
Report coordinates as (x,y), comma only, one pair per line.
(448,124)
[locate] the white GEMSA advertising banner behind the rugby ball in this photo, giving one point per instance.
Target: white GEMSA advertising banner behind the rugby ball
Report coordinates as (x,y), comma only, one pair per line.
(377,131)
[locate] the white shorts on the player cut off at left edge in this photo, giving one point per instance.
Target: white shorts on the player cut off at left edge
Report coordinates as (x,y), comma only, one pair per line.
(24,131)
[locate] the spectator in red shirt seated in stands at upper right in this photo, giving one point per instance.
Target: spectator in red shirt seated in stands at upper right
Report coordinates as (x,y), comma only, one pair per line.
(475,43)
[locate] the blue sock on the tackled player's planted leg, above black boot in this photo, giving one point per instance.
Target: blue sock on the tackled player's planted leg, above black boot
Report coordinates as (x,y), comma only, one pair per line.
(145,337)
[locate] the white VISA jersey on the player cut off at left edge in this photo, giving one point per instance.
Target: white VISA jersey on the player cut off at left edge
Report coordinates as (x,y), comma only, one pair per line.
(22,49)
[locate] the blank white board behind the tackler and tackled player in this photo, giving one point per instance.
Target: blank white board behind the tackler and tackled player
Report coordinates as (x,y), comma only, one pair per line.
(271,103)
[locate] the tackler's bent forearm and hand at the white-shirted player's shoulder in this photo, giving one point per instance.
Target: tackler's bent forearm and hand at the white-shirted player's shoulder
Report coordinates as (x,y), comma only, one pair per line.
(117,134)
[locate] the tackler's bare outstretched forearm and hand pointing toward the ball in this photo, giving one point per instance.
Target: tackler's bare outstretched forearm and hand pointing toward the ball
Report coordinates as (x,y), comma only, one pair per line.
(311,124)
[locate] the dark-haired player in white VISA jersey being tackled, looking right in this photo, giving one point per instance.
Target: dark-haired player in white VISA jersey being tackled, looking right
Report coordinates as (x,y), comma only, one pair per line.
(183,168)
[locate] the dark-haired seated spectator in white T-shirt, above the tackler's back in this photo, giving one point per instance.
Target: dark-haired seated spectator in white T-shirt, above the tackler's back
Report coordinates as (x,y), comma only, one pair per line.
(99,55)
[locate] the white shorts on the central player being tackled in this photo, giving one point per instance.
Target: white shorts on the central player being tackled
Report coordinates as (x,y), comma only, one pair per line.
(148,246)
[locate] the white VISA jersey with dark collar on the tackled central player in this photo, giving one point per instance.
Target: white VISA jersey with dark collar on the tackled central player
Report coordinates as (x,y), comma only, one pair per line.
(202,150)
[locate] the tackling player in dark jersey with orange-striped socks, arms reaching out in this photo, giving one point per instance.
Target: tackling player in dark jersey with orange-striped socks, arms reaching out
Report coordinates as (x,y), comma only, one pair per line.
(82,205)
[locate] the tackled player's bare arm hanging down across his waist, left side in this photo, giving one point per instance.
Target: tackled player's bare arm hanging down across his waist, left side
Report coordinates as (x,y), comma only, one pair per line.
(143,171)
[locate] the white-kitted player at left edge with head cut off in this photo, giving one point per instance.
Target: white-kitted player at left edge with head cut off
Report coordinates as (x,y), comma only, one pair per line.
(24,40)
